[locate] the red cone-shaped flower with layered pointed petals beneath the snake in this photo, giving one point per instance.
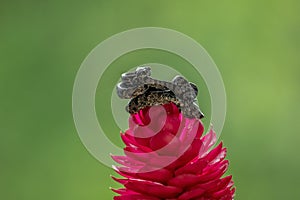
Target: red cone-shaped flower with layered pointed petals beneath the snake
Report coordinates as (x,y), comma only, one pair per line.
(168,158)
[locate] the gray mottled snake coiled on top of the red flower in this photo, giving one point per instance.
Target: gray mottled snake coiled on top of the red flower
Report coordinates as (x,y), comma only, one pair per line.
(145,91)
